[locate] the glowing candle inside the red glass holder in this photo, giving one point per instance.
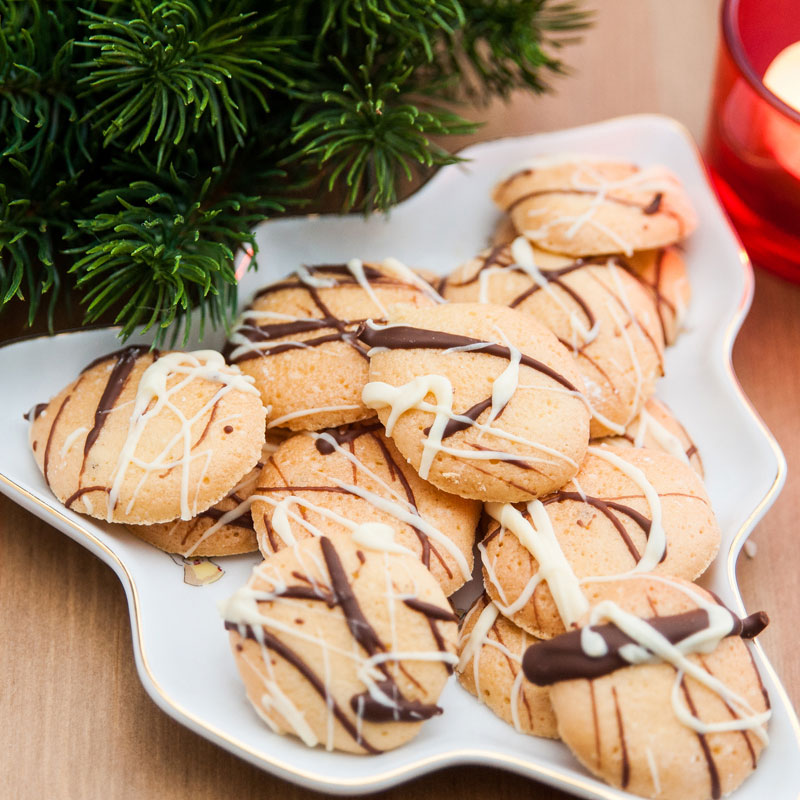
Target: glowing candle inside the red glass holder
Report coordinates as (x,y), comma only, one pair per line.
(782,135)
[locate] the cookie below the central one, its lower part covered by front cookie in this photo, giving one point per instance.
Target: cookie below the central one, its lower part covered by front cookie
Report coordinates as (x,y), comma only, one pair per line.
(345,476)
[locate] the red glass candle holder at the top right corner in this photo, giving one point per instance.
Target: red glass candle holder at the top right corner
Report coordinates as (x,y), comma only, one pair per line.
(753,139)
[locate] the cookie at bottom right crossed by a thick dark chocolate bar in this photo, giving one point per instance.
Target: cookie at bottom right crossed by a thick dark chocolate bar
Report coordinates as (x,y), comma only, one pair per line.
(687,724)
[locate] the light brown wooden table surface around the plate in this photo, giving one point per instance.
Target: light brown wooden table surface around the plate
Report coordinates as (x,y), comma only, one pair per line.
(74,720)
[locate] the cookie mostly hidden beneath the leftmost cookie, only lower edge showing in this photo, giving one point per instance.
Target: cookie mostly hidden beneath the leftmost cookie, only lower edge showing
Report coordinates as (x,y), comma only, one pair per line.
(225,529)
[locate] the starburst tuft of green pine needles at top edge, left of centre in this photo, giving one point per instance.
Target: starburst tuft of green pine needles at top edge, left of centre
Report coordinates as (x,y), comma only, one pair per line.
(160,76)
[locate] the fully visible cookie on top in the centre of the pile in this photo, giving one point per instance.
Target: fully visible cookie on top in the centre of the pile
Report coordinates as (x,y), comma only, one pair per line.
(482,401)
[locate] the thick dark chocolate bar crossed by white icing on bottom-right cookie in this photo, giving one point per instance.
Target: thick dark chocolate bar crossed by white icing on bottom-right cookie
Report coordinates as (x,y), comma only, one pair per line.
(563,658)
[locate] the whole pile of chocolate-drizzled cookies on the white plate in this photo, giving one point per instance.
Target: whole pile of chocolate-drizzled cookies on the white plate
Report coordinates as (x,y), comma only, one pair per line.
(371,427)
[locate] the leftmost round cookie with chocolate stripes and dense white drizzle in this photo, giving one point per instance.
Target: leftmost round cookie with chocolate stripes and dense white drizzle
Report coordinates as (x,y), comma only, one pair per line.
(143,437)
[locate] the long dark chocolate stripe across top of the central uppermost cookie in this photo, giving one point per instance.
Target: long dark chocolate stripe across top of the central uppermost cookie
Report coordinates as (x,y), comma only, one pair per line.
(404,337)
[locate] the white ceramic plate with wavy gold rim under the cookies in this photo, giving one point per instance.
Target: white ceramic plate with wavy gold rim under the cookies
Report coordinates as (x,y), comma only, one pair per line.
(181,648)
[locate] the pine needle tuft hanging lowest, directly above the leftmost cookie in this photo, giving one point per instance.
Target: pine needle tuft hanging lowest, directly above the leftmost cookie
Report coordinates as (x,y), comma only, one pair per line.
(165,244)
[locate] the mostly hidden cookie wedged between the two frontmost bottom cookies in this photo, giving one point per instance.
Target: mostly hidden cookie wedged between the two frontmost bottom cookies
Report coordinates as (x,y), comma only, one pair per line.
(490,667)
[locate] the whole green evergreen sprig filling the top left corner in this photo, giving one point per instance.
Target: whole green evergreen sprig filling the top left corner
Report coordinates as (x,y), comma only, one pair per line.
(142,141)
